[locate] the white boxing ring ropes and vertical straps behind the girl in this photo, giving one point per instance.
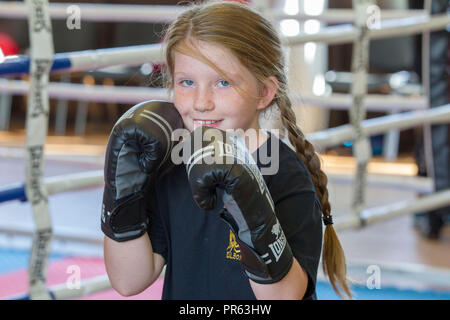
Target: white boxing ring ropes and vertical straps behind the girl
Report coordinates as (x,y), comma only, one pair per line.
(42,62)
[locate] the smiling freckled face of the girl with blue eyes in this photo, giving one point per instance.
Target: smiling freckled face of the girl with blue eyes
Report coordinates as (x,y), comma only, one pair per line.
(204,98)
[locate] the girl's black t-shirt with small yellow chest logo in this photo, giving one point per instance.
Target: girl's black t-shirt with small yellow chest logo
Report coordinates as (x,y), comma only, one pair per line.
(201,253)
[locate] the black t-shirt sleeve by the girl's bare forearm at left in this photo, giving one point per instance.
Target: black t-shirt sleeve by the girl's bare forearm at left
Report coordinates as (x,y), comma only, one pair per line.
(155,229)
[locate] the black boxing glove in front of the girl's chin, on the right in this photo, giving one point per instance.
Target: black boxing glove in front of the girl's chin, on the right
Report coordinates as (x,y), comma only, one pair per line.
(219,160)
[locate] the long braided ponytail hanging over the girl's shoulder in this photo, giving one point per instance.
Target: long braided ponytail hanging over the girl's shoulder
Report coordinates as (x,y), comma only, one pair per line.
(333,258)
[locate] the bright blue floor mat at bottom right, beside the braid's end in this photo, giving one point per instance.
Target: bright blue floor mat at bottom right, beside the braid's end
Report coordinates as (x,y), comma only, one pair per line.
(325,292)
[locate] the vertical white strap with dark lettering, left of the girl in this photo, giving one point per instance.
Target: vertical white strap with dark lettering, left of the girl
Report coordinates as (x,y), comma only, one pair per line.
(36,132)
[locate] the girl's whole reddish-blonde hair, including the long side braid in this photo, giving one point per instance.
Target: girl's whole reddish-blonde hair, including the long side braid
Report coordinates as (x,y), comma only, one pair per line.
(255,43)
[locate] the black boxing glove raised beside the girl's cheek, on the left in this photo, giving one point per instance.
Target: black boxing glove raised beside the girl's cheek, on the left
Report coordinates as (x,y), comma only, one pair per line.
(139,147)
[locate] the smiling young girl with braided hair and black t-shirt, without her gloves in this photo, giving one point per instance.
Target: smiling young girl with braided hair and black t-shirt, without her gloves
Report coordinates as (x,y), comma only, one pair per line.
(225,68)
